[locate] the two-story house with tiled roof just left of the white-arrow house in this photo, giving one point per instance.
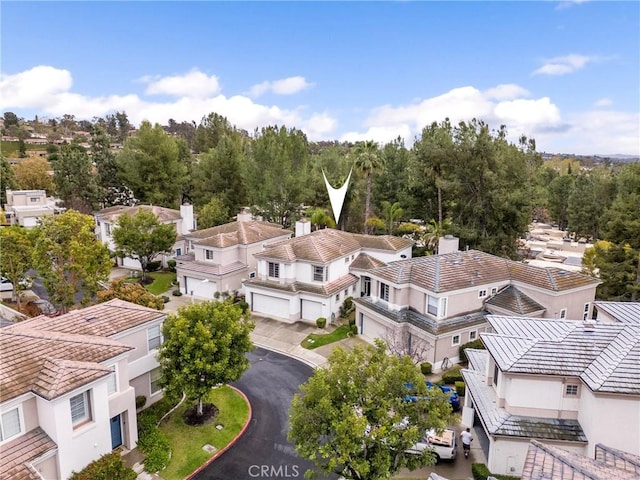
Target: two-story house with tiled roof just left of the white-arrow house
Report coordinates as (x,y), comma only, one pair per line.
(220,258)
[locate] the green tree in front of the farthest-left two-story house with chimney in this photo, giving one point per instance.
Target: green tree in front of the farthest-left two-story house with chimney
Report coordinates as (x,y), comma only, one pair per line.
(142,237)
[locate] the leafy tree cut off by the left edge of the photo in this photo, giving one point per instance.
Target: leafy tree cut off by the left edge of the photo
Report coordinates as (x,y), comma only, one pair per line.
(15,260)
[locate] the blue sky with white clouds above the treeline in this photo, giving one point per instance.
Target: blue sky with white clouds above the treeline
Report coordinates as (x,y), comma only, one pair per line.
(564,73)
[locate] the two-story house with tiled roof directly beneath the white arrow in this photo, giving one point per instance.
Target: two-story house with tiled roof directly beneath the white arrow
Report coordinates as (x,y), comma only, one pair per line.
(309,276)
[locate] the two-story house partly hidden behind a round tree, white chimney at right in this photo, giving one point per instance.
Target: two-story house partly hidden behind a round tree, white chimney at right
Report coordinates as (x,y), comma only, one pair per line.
(107,221)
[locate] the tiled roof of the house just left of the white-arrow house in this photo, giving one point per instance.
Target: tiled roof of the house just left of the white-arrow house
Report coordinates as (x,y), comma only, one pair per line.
(237,233)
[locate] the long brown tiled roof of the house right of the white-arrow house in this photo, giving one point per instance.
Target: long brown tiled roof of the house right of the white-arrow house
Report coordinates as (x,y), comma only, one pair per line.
(460,270)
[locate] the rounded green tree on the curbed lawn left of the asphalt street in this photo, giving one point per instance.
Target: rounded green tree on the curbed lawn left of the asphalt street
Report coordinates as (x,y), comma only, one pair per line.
(205,345)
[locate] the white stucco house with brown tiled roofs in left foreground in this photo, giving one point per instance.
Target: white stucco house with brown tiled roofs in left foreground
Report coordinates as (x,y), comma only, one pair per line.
(68,386)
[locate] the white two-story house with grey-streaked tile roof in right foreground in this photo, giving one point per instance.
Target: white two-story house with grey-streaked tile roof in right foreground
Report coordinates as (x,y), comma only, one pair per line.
(569,384)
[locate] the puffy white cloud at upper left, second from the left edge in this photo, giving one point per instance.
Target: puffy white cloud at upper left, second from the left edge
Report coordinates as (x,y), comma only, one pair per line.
(192,84)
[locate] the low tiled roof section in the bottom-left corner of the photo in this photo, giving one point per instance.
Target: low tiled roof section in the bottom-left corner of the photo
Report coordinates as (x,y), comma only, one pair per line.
(16,455)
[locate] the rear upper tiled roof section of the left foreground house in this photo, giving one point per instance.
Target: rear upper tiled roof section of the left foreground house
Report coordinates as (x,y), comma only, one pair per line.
(104,319)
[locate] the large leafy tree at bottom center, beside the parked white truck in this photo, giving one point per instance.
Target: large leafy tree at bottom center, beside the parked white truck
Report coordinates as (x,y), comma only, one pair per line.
(350,417)
